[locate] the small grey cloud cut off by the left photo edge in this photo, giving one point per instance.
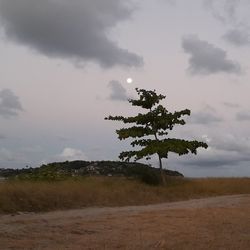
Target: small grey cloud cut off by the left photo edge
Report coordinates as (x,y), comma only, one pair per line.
(9,104)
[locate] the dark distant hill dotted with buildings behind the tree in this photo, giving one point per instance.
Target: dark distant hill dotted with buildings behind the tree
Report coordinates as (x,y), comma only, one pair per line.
(58,170)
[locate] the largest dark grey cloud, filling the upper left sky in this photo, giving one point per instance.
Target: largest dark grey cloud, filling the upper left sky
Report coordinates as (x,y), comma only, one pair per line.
(74,30)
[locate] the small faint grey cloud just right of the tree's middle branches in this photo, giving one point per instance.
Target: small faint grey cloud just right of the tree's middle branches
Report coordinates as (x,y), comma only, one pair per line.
(206,116)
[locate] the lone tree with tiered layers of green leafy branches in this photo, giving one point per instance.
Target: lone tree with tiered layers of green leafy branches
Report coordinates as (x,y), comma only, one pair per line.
(150,130)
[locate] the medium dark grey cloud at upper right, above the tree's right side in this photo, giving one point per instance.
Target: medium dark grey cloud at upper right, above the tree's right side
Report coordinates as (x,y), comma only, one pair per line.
(207,59)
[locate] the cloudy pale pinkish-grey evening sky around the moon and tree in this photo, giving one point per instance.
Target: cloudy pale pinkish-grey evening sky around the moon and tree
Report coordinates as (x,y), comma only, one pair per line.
(64,65)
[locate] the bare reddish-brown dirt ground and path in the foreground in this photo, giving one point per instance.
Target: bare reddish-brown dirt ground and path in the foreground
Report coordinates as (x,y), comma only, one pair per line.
(211,223)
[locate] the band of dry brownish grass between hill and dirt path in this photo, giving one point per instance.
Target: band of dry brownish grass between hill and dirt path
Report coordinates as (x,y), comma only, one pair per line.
(40,196)
